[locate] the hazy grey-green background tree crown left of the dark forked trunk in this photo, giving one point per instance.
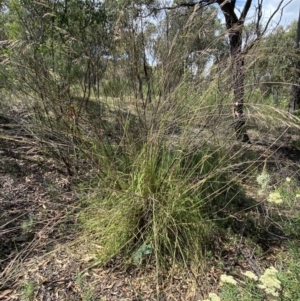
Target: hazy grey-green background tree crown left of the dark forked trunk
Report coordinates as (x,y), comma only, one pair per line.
(185,43)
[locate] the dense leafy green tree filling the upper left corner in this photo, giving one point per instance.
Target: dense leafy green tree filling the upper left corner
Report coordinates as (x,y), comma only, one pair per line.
(59,43)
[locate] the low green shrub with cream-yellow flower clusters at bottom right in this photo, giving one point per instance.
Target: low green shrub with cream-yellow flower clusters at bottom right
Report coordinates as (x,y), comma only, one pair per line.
(273,284)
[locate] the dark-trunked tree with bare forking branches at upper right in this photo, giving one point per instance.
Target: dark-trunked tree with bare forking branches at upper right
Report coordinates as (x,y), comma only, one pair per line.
(235,18)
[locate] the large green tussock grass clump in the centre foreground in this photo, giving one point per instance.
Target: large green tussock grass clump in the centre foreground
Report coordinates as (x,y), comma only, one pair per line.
(167,202)
